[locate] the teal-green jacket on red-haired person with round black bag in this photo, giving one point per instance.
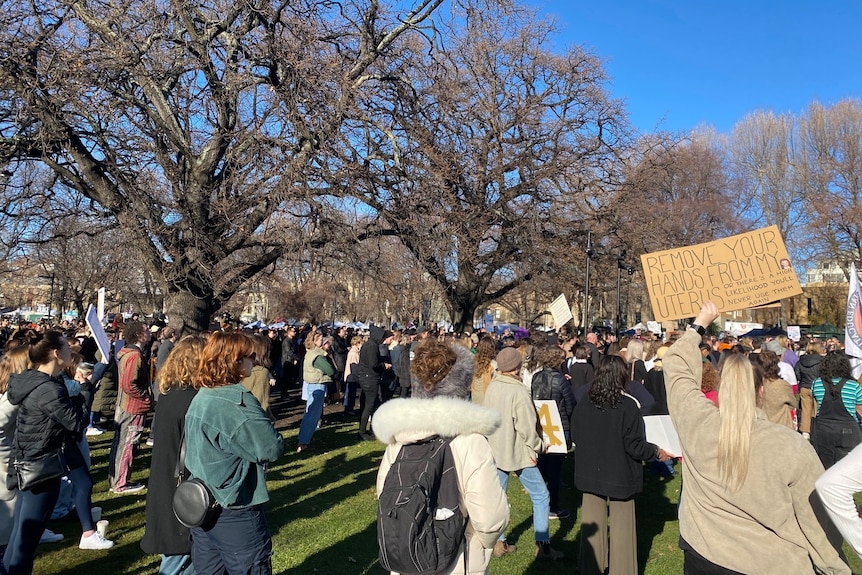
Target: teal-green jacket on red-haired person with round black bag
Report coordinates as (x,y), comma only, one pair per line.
(229,441)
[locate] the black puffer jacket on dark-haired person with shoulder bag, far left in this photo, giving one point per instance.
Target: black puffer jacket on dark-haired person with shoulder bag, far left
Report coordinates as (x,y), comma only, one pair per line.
(47,415)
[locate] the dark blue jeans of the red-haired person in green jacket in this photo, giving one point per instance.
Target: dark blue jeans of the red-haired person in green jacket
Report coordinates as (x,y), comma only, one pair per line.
(239,543)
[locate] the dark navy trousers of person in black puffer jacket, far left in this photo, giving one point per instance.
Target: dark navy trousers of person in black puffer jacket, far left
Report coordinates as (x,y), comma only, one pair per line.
(32,509)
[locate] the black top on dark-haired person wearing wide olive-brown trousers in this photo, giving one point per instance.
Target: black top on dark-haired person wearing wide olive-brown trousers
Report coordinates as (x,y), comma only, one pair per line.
(610,445)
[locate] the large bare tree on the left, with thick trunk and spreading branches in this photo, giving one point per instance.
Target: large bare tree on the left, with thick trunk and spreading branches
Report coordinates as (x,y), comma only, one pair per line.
(191,122)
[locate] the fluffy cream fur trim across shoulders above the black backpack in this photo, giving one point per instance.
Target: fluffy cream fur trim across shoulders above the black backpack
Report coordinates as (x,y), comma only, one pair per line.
(409,420)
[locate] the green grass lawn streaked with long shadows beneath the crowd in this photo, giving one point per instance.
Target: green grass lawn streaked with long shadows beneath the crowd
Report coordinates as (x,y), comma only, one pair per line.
(322,517)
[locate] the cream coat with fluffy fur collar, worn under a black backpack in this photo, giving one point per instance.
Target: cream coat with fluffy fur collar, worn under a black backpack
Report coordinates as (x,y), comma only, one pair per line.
(401,421)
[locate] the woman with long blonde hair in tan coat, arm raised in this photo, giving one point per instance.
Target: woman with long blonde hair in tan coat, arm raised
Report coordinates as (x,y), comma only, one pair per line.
(748,482)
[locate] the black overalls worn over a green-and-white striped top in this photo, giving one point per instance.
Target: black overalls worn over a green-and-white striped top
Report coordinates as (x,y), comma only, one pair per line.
(834,432)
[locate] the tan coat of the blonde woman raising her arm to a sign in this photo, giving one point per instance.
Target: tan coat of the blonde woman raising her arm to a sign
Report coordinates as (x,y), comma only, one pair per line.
(768,526)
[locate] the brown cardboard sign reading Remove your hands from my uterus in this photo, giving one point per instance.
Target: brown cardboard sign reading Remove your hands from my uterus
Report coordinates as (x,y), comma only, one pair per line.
(738,272)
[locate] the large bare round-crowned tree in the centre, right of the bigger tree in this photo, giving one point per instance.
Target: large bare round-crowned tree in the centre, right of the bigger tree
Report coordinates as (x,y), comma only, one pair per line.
(485,158)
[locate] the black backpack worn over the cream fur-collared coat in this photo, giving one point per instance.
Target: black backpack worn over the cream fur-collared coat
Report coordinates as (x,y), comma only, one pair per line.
(420,523)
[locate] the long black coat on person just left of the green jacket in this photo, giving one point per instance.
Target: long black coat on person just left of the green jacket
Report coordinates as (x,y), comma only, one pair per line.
(163,533)
